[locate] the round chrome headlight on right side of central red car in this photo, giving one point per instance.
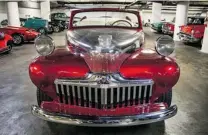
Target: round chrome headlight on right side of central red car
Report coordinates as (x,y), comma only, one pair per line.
(165,45)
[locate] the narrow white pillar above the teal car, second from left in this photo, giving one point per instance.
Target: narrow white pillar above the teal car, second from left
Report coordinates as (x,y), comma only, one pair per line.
(45,9)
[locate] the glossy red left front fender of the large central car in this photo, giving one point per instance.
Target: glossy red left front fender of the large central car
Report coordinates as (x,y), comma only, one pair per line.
(61,64)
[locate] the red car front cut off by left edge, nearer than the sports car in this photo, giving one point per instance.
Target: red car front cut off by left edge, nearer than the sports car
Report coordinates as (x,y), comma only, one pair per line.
(3,43)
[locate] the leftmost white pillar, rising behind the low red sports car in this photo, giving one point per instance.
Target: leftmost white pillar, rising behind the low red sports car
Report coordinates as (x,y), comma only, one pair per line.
(13,13)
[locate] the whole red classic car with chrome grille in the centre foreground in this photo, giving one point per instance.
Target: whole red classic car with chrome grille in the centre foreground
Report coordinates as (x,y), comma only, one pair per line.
(103,77)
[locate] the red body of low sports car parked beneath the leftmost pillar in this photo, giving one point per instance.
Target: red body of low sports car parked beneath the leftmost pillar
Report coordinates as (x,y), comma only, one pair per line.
(27,34)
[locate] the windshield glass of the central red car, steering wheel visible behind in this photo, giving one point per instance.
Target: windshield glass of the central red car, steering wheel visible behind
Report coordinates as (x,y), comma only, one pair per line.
(106,18)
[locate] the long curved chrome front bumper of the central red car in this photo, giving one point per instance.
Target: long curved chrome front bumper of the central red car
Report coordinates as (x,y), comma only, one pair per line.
(114,121)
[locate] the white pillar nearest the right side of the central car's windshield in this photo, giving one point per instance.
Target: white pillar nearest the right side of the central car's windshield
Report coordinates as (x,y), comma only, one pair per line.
(156,12)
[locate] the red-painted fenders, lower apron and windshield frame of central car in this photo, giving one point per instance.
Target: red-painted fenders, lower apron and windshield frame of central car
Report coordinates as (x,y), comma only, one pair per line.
(142,64)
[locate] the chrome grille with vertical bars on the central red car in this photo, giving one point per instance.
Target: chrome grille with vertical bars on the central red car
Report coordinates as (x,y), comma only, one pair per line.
(107,86)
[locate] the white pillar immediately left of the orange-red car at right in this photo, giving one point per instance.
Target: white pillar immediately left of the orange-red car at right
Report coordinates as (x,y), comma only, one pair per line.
(181,17)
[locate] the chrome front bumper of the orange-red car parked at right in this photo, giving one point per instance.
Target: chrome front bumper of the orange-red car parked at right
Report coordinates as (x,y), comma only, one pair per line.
(187,38)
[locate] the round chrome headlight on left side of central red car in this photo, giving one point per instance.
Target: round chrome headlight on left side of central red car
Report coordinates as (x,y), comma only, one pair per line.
(44,45)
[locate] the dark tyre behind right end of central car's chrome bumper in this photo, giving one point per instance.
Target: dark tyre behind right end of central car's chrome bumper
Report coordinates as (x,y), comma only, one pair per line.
(166,98)
